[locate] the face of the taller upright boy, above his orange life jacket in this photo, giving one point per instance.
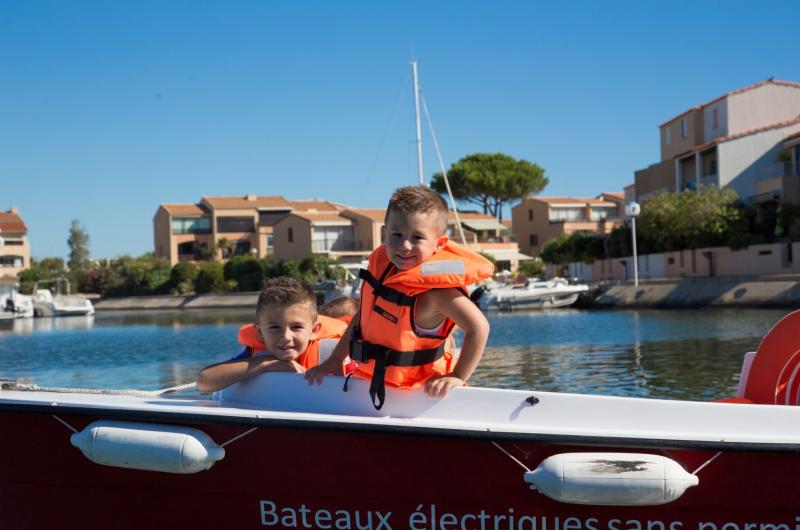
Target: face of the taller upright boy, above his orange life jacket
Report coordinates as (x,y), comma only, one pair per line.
(412,238)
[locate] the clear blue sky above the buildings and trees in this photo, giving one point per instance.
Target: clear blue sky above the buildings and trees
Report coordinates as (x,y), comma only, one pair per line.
(108,109)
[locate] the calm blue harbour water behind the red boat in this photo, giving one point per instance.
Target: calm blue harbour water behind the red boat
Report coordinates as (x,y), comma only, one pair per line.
(694,354)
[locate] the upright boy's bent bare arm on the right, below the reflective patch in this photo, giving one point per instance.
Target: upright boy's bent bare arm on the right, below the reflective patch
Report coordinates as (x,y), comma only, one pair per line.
(453,304)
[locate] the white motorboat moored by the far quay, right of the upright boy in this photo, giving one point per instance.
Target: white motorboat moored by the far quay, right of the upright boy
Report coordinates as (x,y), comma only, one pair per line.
(532,295)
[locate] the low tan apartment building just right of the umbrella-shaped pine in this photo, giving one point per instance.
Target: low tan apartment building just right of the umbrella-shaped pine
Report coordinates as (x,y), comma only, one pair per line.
(536,220)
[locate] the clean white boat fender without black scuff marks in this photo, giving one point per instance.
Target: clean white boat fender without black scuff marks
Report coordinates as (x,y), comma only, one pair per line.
(149,447)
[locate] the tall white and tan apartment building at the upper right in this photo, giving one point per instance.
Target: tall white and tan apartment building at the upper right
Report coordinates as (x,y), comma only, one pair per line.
(746,139)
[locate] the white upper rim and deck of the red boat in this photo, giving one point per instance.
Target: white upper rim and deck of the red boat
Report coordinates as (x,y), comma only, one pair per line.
(482,411)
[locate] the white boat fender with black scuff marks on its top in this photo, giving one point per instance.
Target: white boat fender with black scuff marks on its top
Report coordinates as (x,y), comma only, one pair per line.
(611,479)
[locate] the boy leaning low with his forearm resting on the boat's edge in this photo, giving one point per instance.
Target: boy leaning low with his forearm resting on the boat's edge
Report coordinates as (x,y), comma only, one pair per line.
(285,337)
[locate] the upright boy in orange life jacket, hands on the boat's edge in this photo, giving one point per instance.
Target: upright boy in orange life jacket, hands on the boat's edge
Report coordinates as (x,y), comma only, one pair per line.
(413,295)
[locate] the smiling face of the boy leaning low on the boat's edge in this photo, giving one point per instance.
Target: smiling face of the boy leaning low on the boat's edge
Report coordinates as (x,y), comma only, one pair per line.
(287,331)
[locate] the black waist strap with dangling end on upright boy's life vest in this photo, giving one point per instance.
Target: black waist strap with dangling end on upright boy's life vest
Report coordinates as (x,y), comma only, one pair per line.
(385,357)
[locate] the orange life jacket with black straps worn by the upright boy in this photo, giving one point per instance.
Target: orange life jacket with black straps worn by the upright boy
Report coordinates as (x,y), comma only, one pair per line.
(384,342)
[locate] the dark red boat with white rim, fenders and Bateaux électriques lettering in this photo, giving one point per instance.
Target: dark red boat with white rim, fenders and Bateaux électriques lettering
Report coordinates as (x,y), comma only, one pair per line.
(275,453)
